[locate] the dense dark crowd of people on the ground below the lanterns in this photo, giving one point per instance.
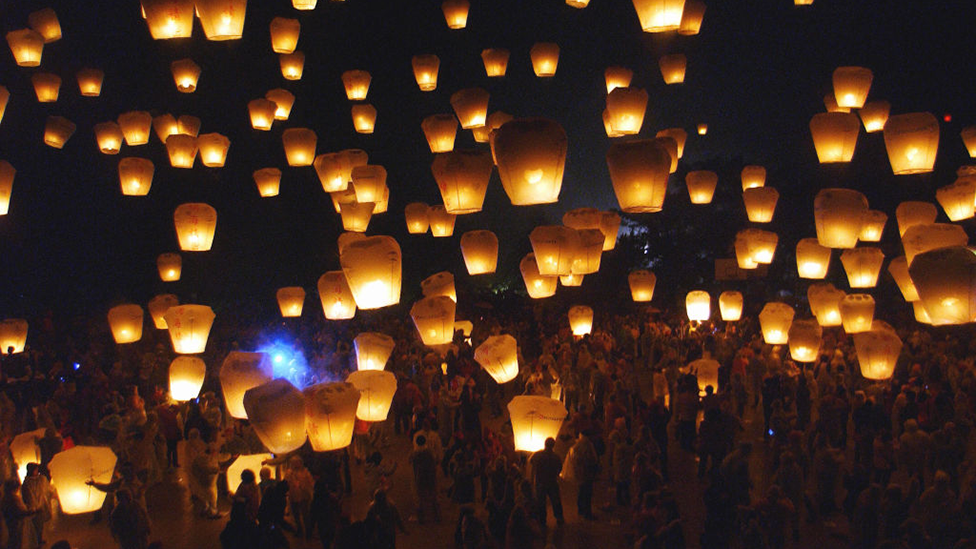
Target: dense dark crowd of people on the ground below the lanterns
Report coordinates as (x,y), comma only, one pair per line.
(875,464)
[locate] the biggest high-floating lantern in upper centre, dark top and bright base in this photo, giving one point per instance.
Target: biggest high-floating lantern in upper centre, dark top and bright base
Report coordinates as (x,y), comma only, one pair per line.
(531,156)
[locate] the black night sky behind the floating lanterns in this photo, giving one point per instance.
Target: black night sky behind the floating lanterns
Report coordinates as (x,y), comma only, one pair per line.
(756,74)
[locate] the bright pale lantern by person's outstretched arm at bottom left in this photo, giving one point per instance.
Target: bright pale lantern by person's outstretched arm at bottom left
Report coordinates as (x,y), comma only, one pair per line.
(72,469)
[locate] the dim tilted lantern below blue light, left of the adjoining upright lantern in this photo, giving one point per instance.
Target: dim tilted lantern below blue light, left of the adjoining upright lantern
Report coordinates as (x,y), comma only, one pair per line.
(276,412)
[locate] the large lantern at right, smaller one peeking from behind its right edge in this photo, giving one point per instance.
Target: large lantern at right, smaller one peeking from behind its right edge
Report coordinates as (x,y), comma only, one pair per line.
(839,214)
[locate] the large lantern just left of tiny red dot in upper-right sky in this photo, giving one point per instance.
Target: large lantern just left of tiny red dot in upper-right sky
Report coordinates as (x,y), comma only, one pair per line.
(912,141)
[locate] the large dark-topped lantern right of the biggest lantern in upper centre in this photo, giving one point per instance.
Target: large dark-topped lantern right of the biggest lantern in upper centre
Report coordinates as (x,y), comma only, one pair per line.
(639,171)
